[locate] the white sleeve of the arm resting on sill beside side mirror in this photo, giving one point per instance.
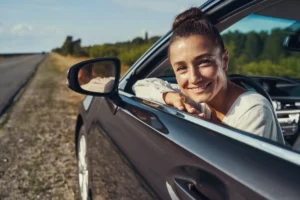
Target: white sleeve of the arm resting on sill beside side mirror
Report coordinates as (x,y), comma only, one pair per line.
(153,89)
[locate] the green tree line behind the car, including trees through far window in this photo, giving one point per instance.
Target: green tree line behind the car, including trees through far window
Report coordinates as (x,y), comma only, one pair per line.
(253,53)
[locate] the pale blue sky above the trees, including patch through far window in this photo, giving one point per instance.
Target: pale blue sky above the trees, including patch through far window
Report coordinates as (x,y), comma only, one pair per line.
(41,25)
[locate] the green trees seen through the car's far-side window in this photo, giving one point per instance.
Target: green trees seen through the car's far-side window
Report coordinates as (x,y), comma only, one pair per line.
(261,53)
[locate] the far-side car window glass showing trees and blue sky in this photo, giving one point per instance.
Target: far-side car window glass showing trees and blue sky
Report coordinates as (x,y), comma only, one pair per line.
(256,47)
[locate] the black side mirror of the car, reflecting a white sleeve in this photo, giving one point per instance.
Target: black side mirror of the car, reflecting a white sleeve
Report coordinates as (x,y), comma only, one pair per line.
(97,77)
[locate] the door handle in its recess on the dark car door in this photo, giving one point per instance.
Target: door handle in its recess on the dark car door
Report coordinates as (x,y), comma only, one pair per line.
(190,189)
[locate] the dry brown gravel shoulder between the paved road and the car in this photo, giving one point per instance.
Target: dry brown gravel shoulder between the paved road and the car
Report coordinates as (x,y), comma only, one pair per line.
(37,150)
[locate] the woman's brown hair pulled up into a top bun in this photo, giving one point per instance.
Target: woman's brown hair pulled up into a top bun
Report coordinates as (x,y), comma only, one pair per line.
(192,22)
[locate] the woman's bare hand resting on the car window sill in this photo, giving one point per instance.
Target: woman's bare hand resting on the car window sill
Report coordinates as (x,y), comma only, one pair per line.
(179,101)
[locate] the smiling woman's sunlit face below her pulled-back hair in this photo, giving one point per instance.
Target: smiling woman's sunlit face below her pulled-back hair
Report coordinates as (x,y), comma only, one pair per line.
(199,67)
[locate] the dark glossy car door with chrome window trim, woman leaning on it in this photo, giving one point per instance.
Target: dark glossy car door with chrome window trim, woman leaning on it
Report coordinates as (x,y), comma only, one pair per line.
(179,156)
